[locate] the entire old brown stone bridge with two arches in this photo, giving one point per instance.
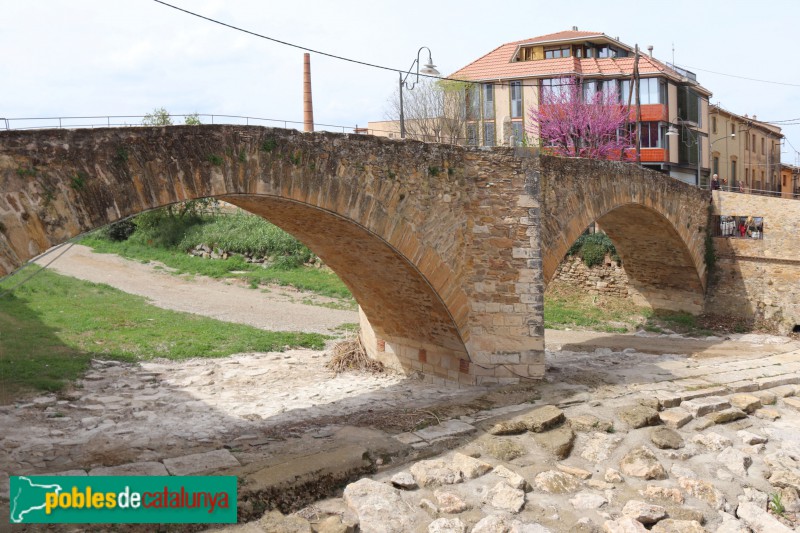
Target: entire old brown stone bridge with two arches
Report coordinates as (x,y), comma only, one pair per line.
(446,249)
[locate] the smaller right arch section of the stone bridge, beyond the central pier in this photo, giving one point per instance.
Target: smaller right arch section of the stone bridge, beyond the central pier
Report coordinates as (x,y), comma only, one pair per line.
(658,225)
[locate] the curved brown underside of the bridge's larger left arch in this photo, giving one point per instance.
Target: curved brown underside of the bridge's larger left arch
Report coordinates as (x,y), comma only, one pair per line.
(395,297)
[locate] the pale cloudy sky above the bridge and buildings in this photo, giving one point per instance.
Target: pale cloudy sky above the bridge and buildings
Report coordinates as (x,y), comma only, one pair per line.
(127,57)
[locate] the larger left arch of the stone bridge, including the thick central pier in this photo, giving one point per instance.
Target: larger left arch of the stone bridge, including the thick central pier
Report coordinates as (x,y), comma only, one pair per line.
(438,243)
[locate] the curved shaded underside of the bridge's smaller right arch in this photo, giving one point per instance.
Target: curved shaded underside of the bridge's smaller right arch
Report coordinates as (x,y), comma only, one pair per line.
(660,268)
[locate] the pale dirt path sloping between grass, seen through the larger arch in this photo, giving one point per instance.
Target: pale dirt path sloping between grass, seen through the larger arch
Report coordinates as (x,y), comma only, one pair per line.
(276,310)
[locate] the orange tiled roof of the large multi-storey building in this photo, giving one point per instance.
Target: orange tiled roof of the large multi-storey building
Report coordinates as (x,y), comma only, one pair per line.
(501,62)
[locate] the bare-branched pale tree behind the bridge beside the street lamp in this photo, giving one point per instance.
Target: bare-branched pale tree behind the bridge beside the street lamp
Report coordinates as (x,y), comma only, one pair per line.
(433,110)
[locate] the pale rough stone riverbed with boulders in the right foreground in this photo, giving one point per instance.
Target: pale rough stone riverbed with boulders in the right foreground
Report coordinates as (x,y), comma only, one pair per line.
(711,446)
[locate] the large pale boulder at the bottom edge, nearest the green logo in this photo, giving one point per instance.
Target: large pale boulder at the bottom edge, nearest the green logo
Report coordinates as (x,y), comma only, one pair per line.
(376,506)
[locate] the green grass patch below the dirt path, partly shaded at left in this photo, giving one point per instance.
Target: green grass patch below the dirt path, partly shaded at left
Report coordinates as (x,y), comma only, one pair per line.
(52,326)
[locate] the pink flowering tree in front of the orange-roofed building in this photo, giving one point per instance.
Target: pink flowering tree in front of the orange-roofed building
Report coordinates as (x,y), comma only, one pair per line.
(574,122)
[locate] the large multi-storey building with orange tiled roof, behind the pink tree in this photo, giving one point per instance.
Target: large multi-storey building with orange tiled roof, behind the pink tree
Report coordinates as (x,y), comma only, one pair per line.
(509,81)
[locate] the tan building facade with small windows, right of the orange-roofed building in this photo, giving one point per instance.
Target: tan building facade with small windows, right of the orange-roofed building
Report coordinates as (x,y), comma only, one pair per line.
(745,152)
